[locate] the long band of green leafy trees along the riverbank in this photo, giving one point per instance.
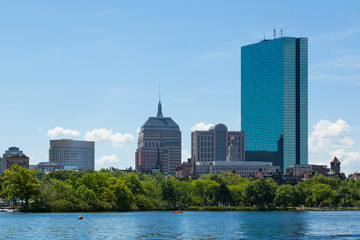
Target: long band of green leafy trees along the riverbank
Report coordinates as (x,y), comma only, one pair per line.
(68,191)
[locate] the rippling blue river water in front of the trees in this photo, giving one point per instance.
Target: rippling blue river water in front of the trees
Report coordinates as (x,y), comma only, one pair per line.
(188,225)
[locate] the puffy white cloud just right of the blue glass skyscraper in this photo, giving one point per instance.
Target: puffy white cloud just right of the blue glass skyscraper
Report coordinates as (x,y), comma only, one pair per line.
(328,135)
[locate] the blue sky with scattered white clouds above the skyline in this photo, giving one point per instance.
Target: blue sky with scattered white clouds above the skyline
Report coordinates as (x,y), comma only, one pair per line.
(92,70)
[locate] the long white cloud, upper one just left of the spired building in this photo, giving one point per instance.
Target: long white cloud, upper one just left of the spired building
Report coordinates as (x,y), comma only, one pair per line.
(104,135)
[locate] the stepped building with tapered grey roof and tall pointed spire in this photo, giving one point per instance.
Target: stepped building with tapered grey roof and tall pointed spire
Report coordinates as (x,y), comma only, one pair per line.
(159,145)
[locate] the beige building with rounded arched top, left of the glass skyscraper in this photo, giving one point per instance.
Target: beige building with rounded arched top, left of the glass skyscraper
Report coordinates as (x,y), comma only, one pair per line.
(214,145)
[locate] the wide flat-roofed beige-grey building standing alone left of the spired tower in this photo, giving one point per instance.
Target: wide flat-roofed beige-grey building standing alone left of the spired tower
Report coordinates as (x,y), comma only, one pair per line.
(73,153)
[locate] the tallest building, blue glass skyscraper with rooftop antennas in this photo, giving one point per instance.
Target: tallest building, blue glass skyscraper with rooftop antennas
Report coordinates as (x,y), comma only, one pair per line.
(274,101)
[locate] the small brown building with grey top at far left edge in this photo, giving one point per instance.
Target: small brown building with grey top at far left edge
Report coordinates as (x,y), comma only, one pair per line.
(14,156)
